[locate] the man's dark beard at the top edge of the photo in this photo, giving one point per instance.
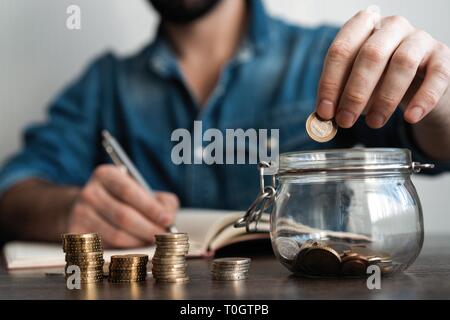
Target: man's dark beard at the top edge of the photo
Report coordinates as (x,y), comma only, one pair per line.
(183,11)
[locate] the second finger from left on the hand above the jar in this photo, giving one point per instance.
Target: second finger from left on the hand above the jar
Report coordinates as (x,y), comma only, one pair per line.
(368,68)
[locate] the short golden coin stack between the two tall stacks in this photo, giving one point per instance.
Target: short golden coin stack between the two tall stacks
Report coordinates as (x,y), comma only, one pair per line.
(128,268)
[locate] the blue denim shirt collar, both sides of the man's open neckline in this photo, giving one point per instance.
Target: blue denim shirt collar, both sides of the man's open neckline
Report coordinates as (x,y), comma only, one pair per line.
(162,59)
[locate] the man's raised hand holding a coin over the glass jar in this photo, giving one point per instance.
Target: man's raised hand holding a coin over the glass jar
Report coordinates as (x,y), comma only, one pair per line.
(375,64)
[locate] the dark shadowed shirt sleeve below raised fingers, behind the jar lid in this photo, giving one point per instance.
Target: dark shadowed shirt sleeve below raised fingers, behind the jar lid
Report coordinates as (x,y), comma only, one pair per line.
(395,134)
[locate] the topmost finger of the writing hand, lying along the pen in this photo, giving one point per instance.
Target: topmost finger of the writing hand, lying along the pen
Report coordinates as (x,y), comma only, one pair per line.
(124,188)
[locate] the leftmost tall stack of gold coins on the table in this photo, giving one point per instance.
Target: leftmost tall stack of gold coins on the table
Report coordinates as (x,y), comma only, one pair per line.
(84,251)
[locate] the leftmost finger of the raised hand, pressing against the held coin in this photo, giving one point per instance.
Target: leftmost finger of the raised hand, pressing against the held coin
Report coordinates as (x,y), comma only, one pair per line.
(339,61)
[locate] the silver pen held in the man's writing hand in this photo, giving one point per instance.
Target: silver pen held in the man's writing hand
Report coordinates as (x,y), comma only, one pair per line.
(120,158)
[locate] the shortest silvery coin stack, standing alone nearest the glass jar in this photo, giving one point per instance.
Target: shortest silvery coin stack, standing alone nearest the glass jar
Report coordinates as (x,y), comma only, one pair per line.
(230,269)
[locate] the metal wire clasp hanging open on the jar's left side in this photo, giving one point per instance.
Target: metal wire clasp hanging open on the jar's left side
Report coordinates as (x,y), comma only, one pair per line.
(260,205)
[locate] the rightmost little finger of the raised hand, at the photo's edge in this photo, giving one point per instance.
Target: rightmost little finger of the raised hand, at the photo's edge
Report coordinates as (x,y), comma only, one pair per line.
(434,86)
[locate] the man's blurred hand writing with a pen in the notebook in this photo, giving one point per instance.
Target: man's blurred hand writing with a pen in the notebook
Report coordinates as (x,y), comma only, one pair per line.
(123,212)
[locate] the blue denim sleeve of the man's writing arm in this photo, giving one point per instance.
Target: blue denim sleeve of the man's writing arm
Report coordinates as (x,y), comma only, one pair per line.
(64,148)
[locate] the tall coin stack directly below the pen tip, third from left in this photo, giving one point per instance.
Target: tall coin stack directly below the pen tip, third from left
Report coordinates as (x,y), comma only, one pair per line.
(169,260)
